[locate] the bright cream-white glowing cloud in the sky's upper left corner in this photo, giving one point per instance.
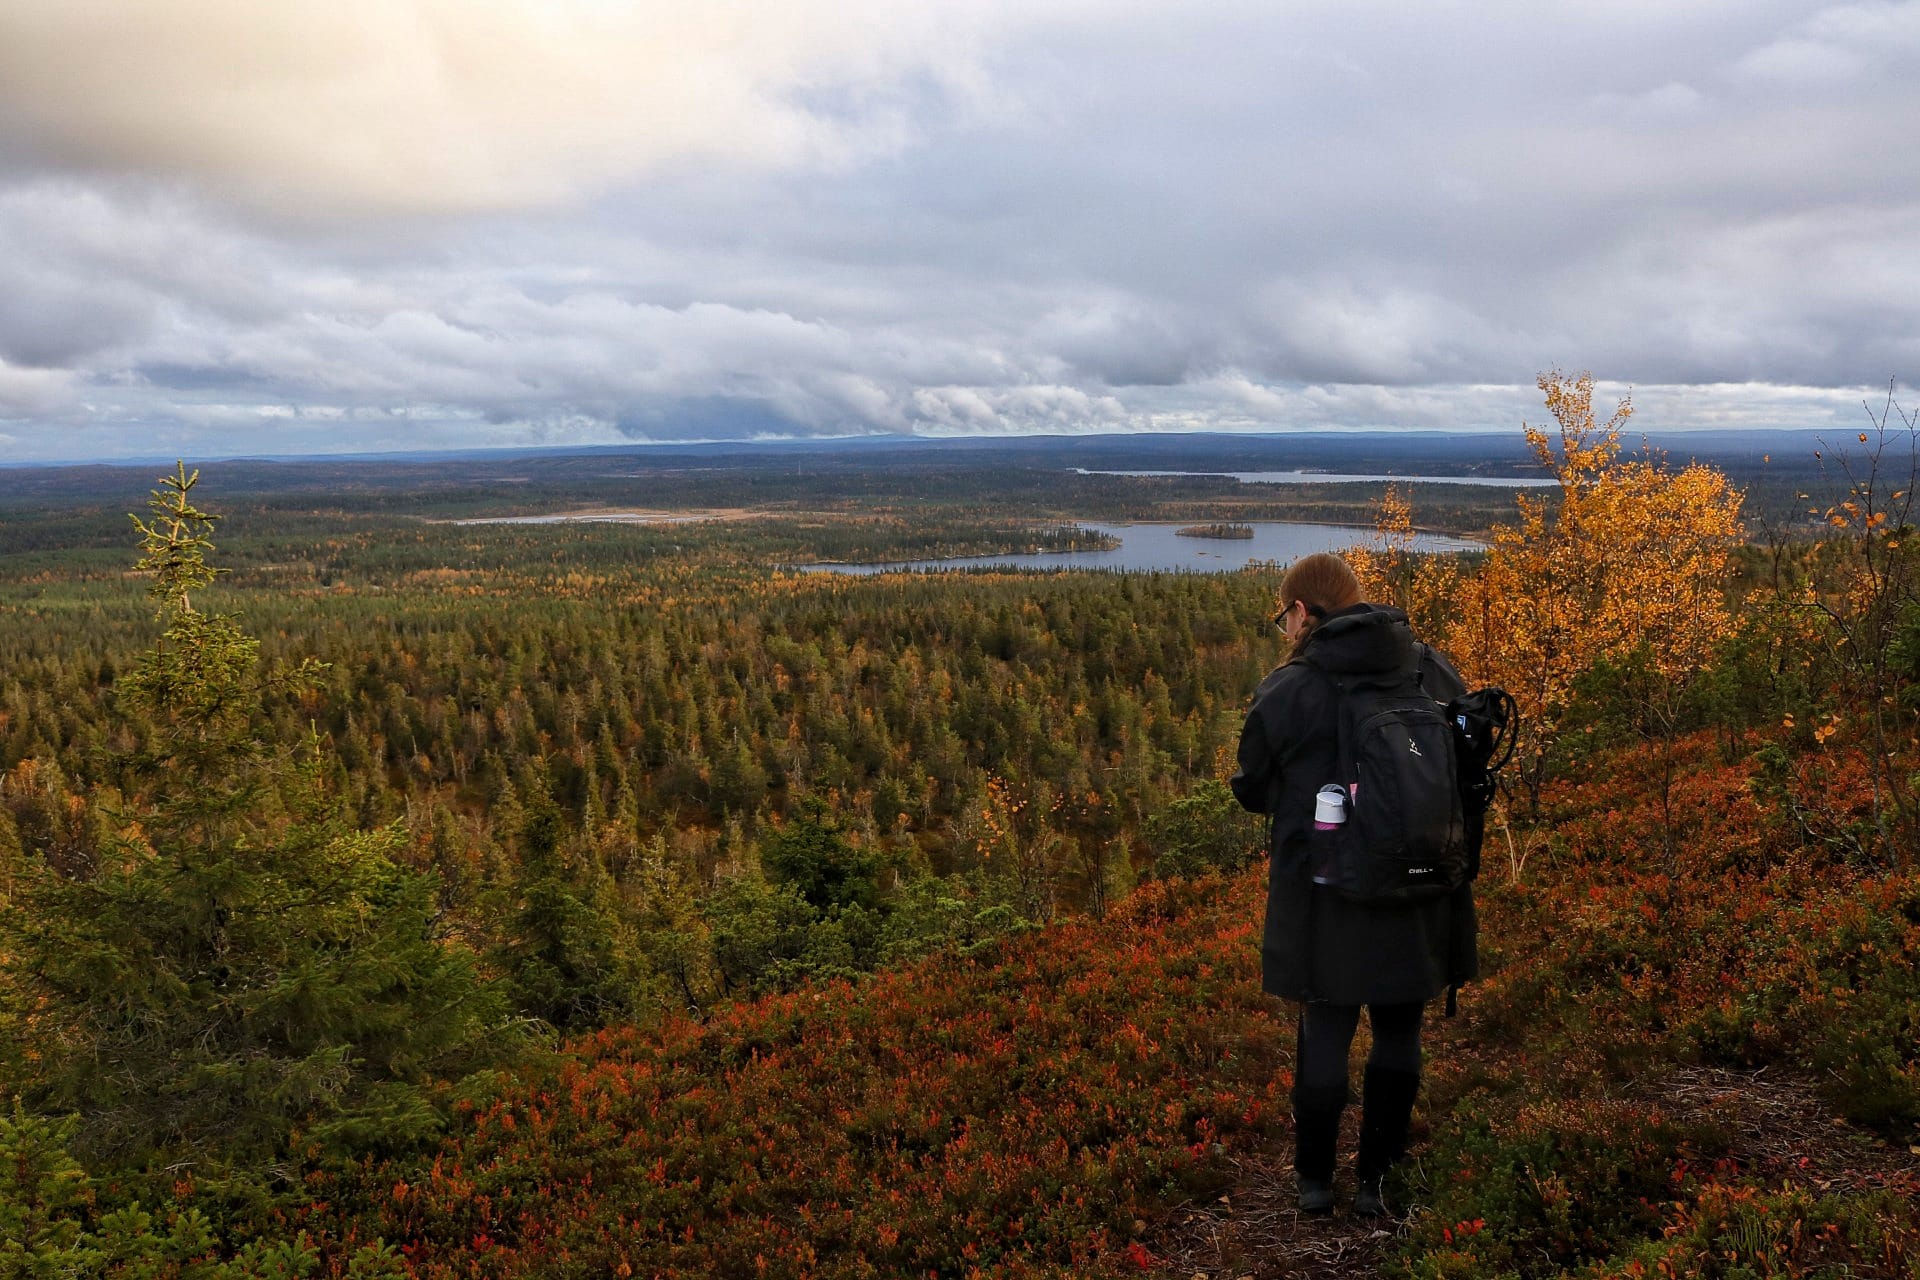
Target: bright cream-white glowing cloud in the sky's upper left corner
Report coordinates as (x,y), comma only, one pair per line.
(339,107)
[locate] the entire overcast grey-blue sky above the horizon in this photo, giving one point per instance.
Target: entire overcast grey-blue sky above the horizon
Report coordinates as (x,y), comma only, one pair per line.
(320,225)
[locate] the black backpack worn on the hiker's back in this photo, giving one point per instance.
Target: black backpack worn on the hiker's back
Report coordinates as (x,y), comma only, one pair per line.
(1418,778)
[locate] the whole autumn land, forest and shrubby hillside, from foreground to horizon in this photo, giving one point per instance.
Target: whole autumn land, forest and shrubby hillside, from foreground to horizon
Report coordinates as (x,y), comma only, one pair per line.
(396,884)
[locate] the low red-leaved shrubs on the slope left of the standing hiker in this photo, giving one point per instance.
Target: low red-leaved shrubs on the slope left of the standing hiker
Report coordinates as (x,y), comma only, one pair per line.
(1005,1114)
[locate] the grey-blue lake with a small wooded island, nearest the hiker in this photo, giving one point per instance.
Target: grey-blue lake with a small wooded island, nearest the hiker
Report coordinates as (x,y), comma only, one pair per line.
(1161,548)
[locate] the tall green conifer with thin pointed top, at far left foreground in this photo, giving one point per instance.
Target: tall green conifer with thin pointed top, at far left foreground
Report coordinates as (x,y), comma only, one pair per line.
(243,960)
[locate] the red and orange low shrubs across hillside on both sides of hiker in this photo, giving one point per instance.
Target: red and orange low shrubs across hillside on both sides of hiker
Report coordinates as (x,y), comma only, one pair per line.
(1068,1085)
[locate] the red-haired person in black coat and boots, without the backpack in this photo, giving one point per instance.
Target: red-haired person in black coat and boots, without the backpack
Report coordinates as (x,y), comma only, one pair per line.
(1324,949)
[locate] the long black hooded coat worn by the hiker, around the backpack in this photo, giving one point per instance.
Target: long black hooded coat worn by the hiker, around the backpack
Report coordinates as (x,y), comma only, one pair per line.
(1318,945)
